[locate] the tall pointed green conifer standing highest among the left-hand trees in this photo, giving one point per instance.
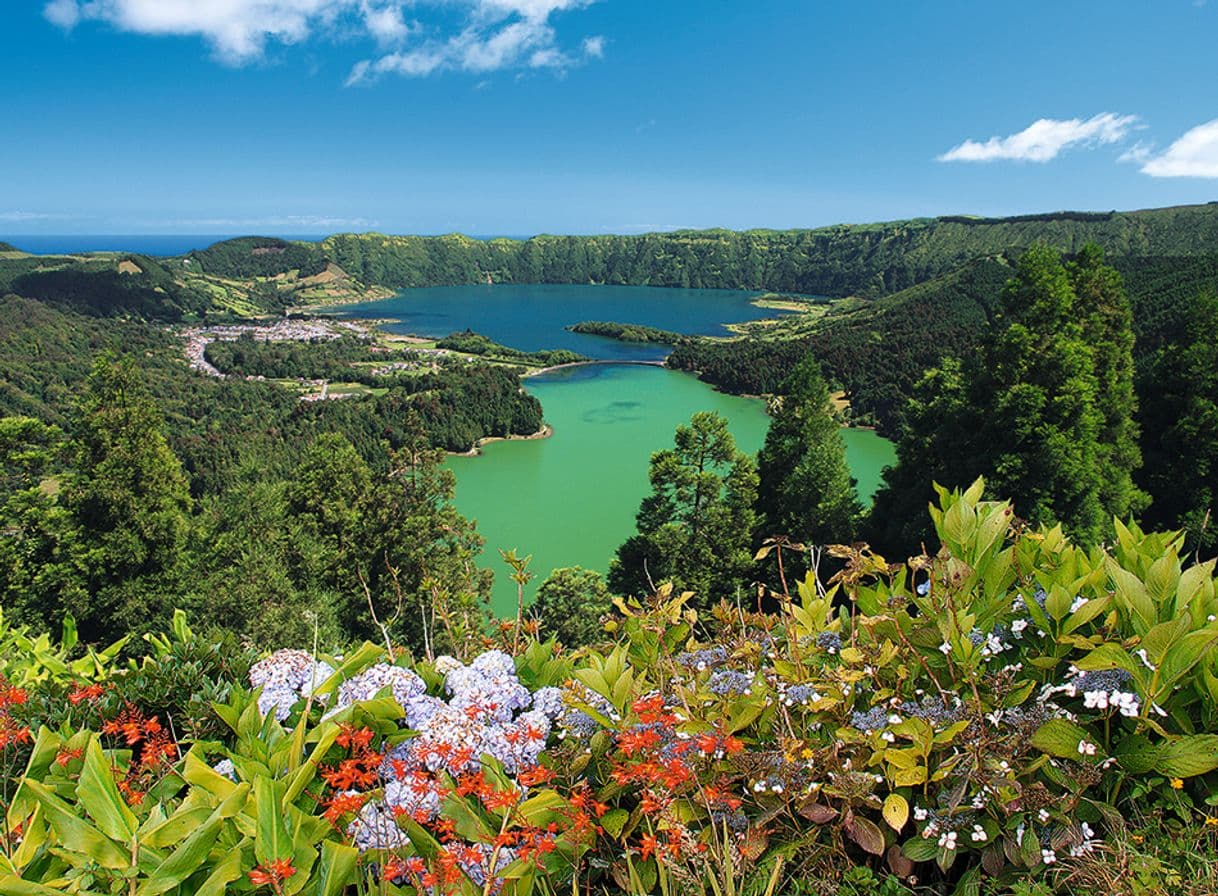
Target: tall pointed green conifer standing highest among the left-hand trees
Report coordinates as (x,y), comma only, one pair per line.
(130,502)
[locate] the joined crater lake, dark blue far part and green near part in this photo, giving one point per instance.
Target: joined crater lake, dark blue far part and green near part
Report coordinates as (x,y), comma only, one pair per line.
(572,500)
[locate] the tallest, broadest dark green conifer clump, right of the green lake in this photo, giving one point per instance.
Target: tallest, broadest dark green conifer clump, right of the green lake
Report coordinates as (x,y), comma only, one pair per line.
(1027,411)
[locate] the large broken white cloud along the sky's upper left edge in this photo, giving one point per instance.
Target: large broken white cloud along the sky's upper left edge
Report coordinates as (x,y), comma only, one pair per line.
(496,35)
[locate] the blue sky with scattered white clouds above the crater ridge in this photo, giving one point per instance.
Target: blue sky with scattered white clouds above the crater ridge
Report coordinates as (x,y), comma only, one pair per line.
(616,116)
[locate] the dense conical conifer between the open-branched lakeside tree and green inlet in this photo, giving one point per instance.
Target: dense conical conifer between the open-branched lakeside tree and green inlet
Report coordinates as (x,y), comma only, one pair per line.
(804,486)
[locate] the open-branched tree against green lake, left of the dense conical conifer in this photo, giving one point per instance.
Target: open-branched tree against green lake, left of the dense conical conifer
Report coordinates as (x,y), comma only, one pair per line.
(695,529)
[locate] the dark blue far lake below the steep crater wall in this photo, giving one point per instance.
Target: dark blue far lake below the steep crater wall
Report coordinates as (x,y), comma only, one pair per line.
(533,318)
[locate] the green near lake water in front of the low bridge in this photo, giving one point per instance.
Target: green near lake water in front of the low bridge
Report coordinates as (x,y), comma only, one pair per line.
(572,500)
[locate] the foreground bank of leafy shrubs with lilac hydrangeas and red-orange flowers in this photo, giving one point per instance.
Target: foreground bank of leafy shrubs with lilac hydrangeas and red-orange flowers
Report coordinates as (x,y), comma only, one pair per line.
(979,718)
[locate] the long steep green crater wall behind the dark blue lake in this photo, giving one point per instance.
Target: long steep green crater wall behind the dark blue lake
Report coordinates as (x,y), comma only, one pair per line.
(869,261)
